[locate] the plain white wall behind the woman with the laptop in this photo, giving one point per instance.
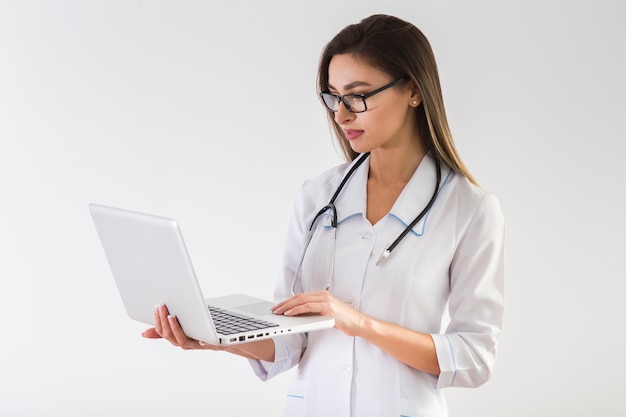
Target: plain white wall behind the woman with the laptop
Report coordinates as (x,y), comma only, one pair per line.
(208,113)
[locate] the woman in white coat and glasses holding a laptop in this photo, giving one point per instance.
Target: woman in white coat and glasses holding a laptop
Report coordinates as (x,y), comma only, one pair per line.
(400,245)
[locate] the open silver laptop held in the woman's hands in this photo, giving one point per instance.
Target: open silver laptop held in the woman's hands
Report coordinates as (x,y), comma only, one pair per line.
(151,266)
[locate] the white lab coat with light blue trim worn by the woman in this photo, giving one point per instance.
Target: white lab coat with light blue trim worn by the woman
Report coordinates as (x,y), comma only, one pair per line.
(445,278)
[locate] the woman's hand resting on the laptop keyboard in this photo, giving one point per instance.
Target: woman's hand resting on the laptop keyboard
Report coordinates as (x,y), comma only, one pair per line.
(347,319)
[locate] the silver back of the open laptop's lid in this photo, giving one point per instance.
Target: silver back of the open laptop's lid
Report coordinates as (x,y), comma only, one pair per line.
(150,265)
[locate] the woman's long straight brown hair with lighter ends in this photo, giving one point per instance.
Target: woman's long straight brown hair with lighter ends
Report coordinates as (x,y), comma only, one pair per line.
(401,50)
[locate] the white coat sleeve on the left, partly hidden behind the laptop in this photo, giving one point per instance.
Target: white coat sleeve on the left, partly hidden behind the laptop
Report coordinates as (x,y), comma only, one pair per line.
(289,348)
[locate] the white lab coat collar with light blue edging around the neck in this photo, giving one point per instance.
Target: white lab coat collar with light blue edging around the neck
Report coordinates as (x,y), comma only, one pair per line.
(416,194)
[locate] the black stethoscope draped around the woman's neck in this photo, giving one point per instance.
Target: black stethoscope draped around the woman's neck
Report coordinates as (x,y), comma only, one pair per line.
(330,207)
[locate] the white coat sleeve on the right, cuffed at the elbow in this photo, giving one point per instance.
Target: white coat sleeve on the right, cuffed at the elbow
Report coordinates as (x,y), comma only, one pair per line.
(467,350)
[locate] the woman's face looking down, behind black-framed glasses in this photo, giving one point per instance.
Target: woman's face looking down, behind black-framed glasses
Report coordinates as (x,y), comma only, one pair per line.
(388,121)
